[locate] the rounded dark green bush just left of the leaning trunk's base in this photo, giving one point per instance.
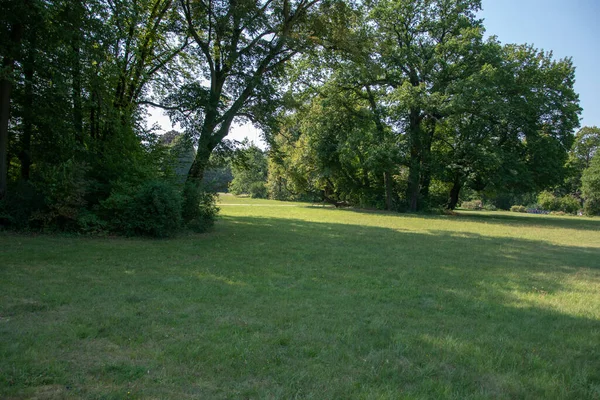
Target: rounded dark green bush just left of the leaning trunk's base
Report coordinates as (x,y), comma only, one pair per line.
(152,209)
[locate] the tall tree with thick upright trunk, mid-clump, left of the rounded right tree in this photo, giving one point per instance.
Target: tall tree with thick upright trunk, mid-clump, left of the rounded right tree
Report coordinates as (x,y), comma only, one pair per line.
(424,45)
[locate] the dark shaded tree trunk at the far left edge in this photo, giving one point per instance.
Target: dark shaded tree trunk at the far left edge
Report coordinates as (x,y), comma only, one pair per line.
(5,90)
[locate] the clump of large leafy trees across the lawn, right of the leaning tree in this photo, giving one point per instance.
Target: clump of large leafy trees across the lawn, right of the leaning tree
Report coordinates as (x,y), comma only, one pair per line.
(415,107)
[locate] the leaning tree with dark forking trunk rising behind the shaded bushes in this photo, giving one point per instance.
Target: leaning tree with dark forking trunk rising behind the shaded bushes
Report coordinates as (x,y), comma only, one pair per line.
(241,47)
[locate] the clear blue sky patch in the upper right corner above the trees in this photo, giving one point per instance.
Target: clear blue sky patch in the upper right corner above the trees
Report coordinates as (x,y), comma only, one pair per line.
(570,28)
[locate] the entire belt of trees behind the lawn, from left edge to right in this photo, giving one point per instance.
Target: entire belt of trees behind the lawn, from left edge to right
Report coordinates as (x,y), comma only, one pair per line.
(393,104)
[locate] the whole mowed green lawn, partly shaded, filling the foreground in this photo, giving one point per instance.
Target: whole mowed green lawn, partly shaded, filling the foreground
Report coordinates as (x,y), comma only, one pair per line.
(303,301)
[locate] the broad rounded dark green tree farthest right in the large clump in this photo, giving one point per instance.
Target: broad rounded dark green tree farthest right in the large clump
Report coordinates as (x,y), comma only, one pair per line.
(509,125)
